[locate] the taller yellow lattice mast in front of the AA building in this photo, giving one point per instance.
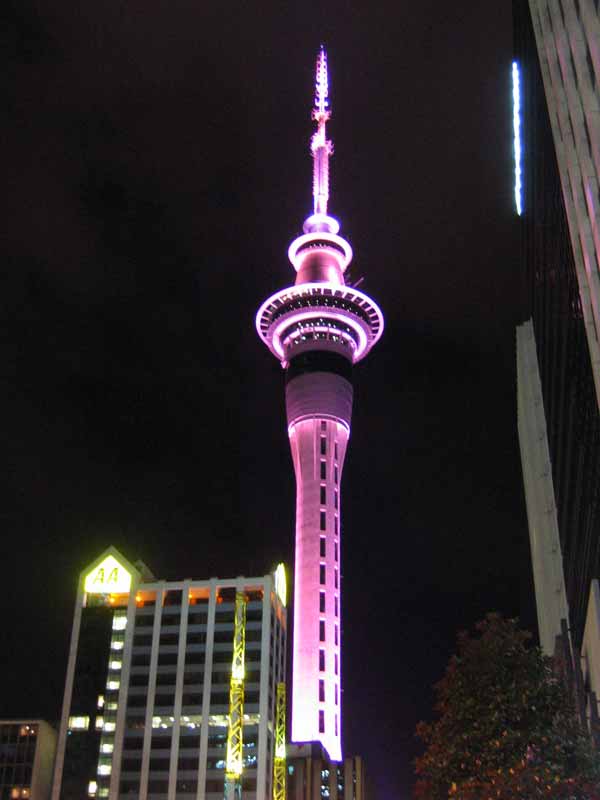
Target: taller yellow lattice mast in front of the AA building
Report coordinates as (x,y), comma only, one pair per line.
(234,763)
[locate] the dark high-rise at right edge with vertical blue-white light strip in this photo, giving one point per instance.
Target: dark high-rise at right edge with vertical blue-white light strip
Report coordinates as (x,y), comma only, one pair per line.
(557,125)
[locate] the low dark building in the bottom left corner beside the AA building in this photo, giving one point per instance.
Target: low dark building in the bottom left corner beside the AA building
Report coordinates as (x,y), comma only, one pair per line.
(27,749)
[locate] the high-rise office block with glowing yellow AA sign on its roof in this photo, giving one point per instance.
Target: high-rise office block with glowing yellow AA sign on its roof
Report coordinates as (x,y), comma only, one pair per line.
(171,686)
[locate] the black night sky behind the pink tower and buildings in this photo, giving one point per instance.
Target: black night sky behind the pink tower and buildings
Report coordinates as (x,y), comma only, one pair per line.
(156,167)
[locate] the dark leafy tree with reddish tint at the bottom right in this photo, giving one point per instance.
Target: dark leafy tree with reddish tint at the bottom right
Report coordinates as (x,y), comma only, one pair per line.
(505,727)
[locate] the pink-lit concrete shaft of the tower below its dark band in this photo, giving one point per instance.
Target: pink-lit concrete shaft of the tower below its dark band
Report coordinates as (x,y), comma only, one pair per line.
(319,408)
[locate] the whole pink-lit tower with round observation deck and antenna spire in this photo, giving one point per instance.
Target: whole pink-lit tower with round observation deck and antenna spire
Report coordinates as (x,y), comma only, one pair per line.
(318,328)
